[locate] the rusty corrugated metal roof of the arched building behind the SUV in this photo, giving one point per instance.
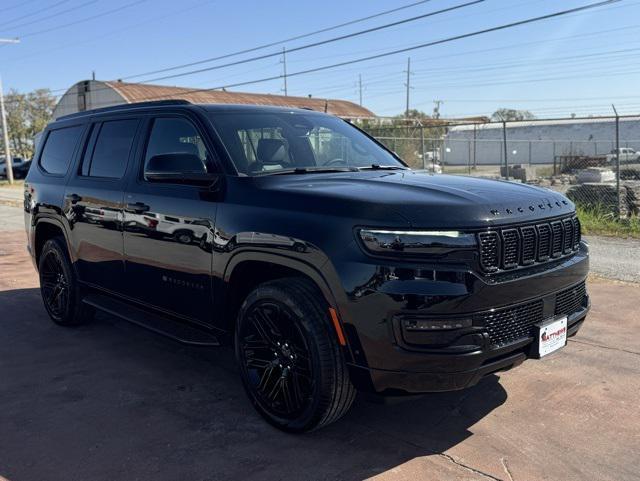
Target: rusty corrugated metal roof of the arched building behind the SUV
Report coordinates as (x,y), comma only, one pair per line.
(136,92)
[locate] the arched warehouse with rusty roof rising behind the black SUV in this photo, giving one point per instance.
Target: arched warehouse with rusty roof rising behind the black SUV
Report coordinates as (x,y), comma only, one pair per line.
(93,94)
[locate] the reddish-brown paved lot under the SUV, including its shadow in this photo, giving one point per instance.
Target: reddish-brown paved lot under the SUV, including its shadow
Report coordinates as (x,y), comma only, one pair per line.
(108,401)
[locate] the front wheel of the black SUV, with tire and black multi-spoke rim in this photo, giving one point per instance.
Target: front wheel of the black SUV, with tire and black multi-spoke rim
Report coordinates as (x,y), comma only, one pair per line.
(291,364)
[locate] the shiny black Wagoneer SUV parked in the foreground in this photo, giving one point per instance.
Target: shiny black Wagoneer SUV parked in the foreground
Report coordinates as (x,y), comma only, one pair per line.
(293,236)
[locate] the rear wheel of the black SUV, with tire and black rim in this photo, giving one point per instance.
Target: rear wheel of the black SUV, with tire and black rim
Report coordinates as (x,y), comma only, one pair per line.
(59,286)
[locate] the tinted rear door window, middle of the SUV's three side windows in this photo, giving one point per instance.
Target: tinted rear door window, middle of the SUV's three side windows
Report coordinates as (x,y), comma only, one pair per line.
(111,150)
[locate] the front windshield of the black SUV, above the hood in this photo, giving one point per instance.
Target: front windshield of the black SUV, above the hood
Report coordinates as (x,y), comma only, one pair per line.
(270,143)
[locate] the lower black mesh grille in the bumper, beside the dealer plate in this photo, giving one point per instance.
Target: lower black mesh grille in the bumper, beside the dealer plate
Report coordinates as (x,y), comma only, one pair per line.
(512,324)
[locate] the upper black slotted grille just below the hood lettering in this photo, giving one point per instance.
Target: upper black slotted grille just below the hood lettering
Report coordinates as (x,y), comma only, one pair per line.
(509,248)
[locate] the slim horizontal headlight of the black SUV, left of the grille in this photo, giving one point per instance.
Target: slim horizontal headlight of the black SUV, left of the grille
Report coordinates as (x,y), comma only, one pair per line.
(393,242)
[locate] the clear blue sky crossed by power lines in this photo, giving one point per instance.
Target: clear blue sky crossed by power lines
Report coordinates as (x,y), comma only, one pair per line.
(579,64)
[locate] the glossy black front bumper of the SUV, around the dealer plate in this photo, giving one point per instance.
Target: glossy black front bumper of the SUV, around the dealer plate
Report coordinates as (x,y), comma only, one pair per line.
(385,359)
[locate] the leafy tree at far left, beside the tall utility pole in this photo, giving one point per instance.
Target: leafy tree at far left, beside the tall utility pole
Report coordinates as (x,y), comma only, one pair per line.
(27,115)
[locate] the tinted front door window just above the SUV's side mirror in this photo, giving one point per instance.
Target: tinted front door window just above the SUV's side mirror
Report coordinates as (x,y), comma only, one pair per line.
(176,136)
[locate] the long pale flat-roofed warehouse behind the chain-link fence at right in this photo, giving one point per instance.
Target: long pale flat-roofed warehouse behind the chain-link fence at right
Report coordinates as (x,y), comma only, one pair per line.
(537,142)
